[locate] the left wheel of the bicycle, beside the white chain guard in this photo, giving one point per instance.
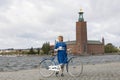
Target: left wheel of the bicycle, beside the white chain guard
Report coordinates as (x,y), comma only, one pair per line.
(44,68)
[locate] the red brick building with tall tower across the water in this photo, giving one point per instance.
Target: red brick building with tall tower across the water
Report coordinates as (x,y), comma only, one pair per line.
(82,45)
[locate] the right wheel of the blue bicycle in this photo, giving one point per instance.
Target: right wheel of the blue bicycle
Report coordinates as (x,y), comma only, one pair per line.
(75,67)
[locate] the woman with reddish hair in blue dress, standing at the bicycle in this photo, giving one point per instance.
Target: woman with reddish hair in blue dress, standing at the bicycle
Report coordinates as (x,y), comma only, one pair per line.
(61,48)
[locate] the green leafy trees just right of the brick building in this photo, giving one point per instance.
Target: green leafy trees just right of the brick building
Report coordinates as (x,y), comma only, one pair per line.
(110,48)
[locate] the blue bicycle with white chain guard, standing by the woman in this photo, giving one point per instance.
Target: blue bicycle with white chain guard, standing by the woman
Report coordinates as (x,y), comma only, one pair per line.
(49,65)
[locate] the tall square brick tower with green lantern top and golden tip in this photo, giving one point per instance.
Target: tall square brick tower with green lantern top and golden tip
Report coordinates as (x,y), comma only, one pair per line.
(81,34)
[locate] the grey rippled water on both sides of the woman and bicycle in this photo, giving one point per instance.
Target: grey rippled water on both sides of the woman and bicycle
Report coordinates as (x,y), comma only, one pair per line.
(30,62)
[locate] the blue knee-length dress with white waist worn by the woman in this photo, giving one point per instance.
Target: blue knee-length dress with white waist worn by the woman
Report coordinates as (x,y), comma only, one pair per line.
(61,54)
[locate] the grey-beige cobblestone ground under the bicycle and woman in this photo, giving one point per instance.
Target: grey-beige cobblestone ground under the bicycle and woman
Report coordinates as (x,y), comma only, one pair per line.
(106,71)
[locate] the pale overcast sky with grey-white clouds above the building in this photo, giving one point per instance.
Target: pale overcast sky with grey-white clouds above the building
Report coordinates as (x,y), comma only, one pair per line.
(30,23)
